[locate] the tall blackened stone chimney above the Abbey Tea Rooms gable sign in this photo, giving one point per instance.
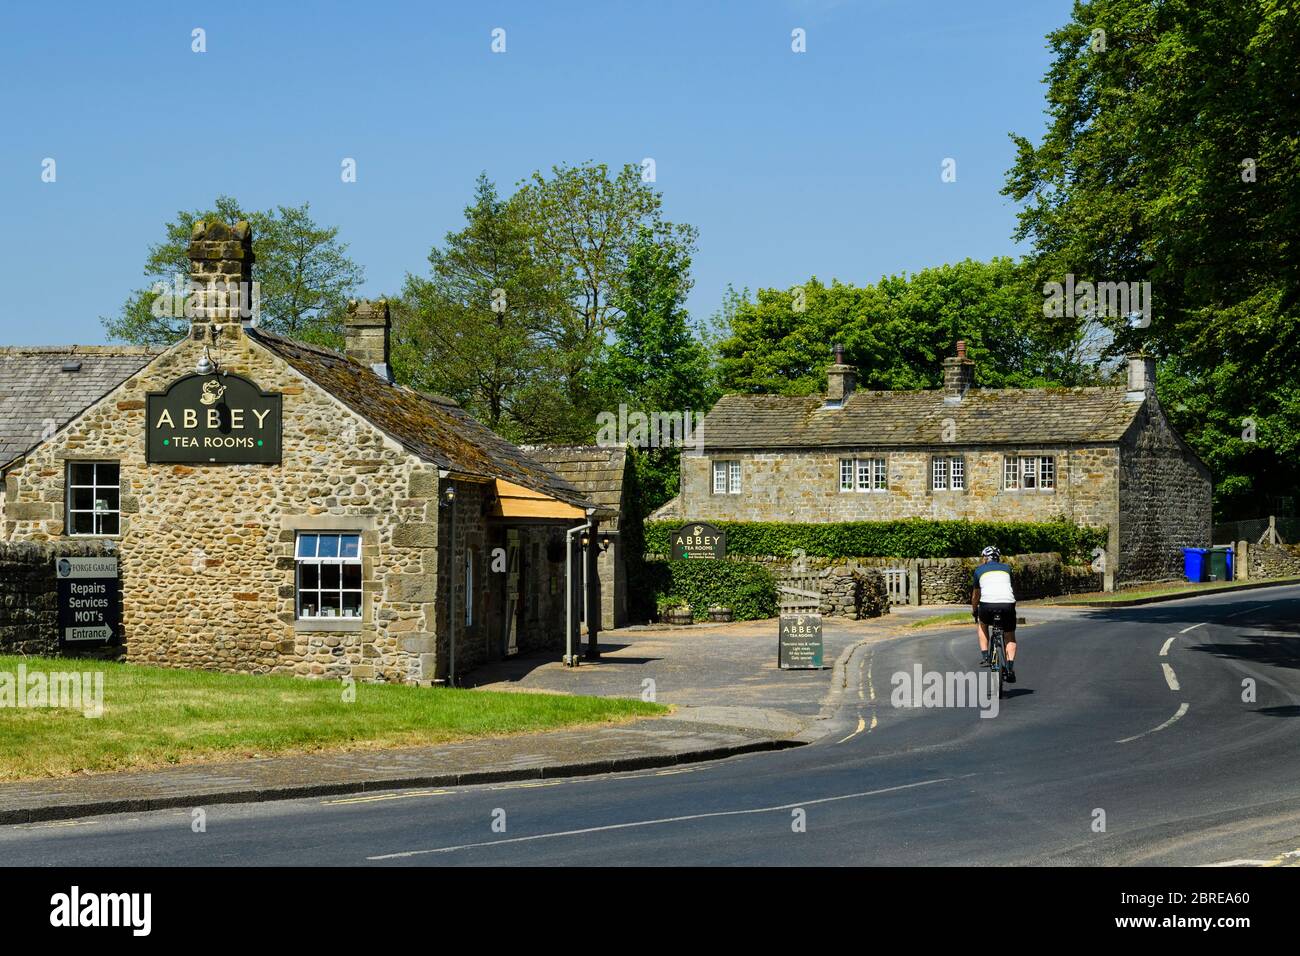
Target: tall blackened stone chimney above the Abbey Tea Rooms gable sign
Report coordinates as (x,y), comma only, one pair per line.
(220,278)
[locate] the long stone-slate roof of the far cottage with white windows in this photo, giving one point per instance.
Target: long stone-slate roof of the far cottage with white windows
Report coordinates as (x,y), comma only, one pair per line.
(883,419)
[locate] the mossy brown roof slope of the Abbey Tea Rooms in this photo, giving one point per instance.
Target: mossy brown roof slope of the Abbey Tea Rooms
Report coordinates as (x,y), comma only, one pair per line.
(434,429)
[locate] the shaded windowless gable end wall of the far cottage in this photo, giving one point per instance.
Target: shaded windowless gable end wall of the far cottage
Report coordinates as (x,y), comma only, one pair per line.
(1165,501)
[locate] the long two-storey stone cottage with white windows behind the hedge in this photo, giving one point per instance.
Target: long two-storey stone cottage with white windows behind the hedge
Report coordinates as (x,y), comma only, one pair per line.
(1103,457)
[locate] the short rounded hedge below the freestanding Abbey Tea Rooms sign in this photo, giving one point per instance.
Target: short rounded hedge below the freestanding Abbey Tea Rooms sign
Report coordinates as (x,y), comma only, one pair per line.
(748,590)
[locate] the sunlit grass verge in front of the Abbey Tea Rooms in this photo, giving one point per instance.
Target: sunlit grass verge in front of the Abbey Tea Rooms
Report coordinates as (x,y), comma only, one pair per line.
(159,717)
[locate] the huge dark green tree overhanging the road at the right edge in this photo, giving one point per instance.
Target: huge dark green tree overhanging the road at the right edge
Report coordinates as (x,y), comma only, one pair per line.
(1171,158)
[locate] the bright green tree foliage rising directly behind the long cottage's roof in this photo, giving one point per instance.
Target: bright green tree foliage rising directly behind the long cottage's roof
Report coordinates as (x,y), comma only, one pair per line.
(896,332)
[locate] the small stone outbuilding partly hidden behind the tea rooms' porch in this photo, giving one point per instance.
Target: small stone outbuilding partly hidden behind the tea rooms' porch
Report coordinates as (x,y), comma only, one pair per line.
(603,475)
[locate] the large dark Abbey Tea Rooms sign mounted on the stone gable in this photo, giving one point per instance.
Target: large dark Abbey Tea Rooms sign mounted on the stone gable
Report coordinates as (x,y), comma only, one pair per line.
(218,418)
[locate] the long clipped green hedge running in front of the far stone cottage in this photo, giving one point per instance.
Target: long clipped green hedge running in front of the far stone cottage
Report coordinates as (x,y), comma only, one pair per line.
(913,538)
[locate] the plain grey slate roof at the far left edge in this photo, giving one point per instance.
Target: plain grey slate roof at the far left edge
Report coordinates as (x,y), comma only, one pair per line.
(34,390)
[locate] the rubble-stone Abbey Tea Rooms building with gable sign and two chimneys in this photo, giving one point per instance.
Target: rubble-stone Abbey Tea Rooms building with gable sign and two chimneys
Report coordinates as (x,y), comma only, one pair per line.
(281,508)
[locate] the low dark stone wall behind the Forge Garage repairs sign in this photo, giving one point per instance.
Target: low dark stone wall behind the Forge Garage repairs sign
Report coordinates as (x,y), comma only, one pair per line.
(29,608)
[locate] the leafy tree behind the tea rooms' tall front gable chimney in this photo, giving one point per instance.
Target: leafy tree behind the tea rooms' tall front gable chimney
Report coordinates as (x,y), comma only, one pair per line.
(304,272)
